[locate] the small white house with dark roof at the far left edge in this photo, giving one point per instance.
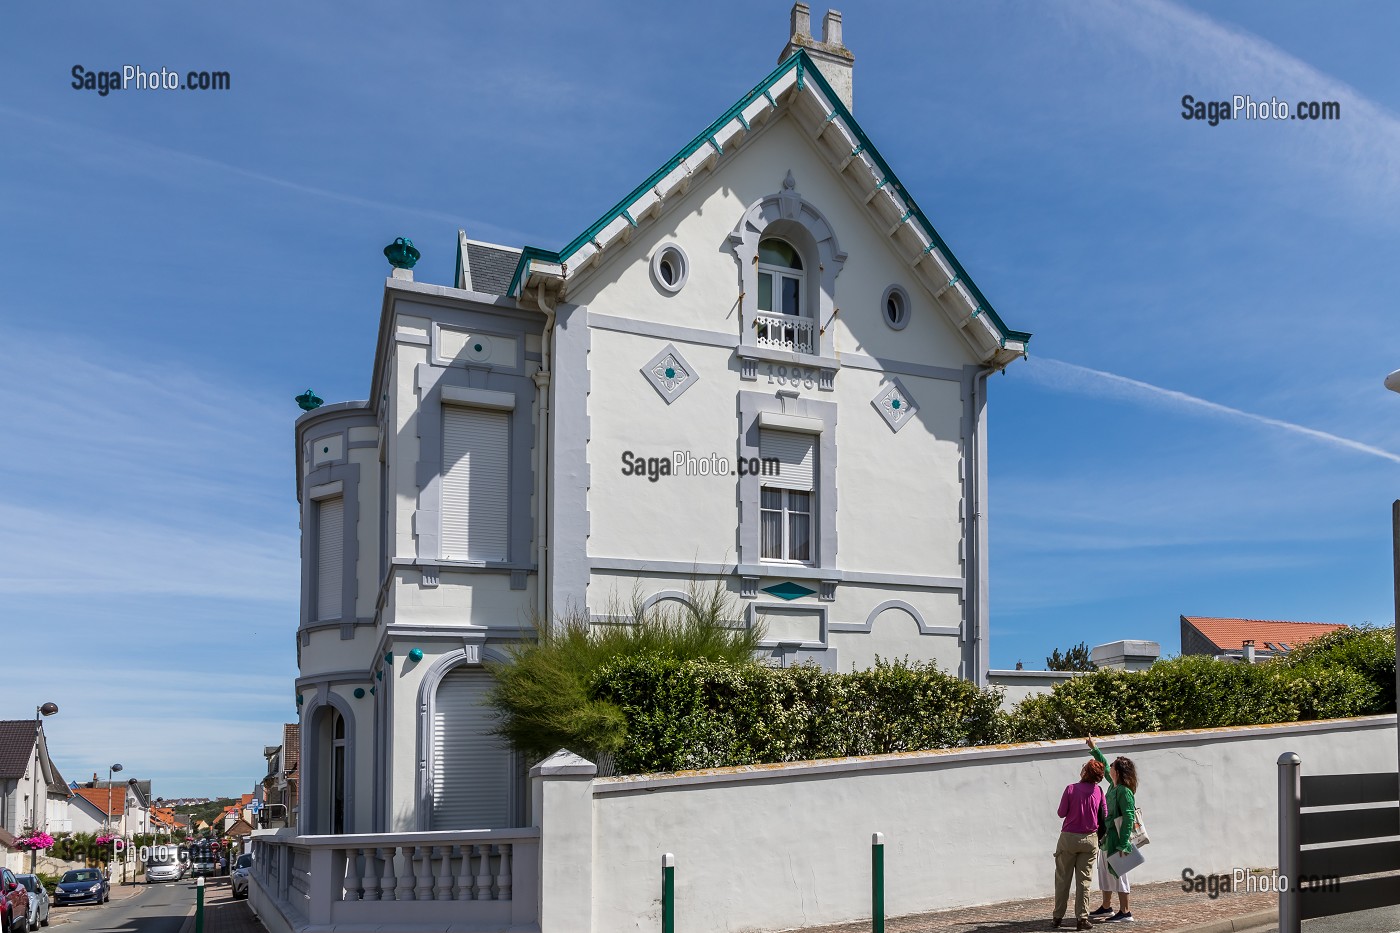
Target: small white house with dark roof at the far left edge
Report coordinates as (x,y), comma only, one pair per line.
(33,792)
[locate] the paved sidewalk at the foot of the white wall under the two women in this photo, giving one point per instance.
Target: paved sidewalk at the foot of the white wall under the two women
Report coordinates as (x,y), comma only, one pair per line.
(1156,907)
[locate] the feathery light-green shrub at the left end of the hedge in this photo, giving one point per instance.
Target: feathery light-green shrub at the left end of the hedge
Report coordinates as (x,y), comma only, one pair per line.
(544,691)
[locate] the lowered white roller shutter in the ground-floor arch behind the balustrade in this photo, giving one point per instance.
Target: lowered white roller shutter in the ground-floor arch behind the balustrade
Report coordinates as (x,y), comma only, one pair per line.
(471,768)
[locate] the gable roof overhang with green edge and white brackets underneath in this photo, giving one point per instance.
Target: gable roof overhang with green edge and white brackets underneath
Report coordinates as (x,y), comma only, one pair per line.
(853,155)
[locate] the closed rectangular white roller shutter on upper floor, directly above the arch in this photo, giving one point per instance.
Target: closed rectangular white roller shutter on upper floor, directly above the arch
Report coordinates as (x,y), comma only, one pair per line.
(475,484)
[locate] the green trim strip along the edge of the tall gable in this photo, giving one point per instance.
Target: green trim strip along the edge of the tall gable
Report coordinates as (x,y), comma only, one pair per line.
(806,69)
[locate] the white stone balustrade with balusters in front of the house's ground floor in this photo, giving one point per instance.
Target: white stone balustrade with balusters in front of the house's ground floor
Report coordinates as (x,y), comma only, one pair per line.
(481,879)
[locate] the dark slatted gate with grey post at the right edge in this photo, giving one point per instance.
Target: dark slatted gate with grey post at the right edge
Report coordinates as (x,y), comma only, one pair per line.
(1339,843)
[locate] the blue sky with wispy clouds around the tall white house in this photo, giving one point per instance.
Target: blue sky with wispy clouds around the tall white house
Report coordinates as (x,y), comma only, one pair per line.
(1200,428)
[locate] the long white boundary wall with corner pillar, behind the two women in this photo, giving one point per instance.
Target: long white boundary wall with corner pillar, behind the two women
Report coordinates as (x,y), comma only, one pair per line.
(780,847)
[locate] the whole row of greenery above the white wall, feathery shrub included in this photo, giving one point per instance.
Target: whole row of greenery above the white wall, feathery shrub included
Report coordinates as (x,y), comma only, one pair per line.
(682,694)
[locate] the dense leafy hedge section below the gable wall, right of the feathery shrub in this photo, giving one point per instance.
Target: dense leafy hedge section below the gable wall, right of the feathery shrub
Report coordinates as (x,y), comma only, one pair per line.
(687,715)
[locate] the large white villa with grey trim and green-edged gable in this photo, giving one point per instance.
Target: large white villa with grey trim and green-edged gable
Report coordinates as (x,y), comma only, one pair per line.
(773,299)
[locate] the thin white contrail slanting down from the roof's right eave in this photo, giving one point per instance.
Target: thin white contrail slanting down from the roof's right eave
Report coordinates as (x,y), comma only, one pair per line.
(1081,379)
